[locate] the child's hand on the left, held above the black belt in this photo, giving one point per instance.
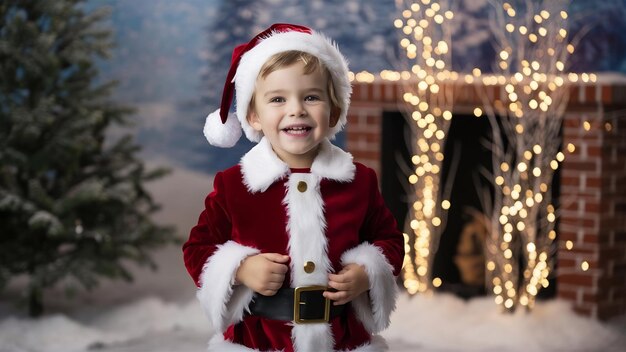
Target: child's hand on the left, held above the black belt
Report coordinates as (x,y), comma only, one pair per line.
(263,273)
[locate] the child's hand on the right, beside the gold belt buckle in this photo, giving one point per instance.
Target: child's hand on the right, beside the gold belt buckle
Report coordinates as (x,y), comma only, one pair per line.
(350,282)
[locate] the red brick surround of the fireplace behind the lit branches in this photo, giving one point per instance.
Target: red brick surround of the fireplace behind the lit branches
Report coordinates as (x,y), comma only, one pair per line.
(592,225)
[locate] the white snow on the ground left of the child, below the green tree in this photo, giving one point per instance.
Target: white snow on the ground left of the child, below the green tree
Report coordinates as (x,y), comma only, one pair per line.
(133,322)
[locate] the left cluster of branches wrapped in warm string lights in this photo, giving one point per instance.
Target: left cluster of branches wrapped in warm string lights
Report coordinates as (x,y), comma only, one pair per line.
(426,46)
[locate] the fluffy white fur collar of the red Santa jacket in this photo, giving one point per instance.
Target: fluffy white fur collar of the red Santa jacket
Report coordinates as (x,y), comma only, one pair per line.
(261,167)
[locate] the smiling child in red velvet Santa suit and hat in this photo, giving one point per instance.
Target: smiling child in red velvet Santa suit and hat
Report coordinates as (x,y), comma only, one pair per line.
(295,249)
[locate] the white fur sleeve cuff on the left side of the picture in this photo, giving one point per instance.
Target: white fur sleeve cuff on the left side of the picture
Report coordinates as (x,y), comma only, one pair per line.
(223,302)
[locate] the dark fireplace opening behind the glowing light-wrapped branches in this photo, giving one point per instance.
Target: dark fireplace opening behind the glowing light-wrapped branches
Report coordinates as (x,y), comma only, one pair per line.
(459,260)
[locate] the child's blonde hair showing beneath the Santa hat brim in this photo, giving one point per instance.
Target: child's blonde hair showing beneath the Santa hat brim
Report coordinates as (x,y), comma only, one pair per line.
(311,64)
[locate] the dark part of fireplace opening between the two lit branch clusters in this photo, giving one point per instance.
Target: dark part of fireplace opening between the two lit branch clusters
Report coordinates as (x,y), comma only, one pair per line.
(459,261)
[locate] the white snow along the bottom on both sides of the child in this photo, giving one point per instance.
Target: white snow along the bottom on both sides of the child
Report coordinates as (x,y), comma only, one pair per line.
(420,323)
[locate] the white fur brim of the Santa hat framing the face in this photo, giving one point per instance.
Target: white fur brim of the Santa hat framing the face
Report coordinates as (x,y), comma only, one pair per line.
(315,44)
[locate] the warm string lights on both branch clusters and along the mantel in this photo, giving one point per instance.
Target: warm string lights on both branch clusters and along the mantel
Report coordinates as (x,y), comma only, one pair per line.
(536,85)
